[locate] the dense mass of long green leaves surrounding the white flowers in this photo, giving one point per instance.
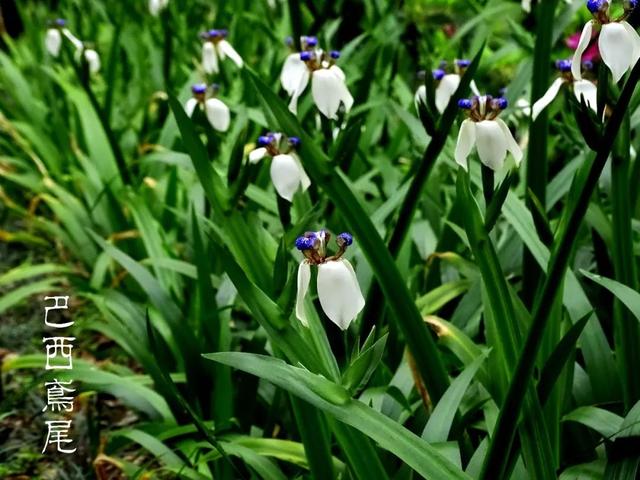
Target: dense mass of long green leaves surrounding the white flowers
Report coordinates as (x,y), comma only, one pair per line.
(173,245)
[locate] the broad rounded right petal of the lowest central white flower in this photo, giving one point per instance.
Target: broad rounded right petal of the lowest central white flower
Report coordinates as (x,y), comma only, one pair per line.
(339,292)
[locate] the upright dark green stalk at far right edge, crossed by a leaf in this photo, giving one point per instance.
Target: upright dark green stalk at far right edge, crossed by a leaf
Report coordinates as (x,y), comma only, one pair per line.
(626,327)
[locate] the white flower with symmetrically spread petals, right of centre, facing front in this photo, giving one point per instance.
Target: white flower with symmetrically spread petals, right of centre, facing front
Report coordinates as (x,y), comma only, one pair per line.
(489,134)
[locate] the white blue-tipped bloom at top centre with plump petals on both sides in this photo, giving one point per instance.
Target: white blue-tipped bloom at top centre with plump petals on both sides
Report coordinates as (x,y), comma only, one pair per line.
(328,86)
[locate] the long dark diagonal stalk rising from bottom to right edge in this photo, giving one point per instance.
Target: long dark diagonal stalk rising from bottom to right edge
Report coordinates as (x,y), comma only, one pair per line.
(507,423)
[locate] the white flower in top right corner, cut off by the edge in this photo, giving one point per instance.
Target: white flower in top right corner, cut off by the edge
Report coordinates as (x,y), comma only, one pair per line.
(619,43)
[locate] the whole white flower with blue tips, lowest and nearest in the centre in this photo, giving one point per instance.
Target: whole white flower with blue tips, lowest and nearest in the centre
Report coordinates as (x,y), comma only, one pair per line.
(338,289)
